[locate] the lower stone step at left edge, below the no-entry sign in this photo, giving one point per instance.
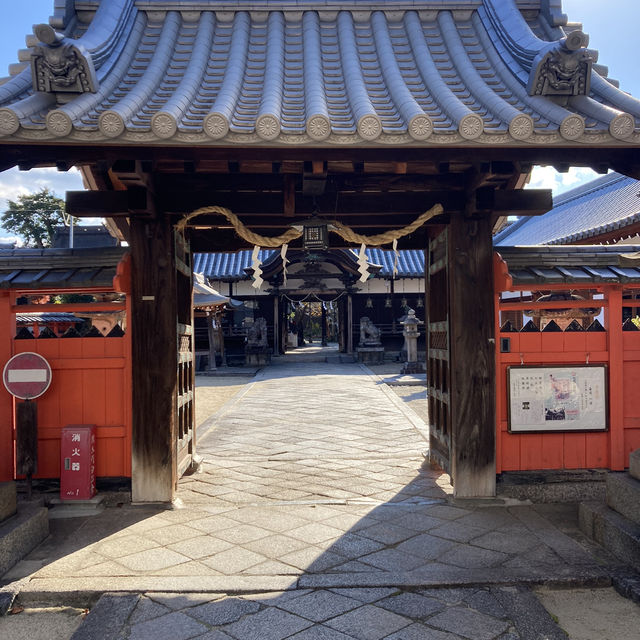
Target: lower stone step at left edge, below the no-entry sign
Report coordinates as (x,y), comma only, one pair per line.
(20,534)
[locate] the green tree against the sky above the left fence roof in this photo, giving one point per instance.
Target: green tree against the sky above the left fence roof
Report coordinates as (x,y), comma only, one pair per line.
(34,217)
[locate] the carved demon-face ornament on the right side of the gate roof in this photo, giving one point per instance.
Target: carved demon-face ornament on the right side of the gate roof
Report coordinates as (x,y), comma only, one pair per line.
(563,69)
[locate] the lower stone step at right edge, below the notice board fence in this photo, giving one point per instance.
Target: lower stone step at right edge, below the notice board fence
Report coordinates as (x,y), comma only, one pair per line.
(614,532)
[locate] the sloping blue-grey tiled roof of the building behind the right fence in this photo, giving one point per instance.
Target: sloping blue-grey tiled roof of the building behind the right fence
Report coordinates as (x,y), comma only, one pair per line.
(607,204)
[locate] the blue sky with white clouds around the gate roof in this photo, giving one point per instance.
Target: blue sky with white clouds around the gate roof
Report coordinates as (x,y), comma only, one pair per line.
(612,26)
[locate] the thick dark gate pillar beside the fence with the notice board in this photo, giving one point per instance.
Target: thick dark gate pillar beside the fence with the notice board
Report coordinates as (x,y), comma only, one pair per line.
(472,335)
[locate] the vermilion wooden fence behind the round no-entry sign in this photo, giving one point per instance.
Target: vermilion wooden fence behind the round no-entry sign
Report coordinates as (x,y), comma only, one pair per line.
(91,384)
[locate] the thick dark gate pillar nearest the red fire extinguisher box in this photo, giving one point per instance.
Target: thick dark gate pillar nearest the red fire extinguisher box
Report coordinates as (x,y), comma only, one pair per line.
(154,360)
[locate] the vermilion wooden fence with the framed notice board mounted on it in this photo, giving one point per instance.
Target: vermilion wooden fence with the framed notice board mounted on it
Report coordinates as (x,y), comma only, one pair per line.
(617,349)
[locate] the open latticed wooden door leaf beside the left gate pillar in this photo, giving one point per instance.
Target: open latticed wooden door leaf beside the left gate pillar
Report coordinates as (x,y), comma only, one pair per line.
(185,436)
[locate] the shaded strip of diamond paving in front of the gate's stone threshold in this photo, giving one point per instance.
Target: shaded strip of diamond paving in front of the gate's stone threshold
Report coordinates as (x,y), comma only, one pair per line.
(485,613)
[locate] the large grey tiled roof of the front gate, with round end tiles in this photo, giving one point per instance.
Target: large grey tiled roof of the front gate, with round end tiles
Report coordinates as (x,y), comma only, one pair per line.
(314,72)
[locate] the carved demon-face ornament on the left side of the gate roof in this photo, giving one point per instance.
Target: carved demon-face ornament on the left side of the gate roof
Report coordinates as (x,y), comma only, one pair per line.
(58,66)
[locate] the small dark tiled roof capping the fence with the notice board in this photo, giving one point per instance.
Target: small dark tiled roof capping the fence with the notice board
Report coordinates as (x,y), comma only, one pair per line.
(579,264)
